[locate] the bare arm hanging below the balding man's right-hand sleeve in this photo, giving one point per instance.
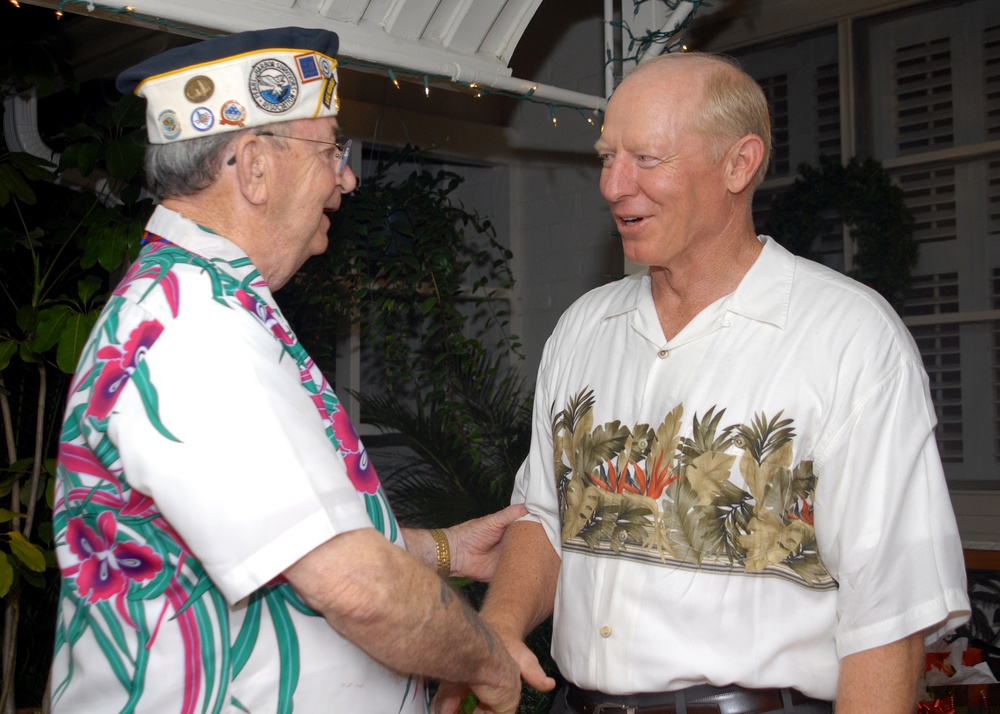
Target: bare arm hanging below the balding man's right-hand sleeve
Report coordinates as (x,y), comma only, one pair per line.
(882,679)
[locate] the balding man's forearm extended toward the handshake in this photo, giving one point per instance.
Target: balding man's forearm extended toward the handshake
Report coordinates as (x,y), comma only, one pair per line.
(523,590)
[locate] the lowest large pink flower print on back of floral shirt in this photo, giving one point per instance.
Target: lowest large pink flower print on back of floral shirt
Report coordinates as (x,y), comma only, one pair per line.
(107,566)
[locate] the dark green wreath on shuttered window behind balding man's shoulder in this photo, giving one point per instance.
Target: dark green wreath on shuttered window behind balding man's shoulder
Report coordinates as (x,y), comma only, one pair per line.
(869,204)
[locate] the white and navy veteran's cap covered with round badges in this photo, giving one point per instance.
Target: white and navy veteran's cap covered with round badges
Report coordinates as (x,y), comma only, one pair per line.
(243,80)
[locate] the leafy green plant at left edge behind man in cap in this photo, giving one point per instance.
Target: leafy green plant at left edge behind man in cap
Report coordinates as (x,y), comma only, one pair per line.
(60,249)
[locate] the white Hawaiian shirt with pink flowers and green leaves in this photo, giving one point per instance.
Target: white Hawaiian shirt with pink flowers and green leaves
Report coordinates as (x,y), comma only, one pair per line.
(202,453)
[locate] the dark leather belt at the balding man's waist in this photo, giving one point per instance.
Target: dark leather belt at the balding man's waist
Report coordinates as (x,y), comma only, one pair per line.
(698,700)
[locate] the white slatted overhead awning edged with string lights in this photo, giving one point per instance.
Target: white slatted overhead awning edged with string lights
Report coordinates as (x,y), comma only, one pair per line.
(463,41)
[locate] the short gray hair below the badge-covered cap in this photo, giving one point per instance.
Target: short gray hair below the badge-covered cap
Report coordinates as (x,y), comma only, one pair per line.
(184,168)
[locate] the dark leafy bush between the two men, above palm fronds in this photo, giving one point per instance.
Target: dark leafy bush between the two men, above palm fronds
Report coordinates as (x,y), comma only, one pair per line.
(404,261)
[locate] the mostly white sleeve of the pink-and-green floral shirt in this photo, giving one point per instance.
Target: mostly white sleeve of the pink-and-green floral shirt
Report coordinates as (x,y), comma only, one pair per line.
(233,451)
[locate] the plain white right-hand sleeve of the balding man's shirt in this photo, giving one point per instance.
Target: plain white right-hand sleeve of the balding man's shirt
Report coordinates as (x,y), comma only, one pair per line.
(885,526)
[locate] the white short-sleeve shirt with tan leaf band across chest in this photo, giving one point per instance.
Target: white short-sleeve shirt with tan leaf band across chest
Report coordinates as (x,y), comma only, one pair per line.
(748,502)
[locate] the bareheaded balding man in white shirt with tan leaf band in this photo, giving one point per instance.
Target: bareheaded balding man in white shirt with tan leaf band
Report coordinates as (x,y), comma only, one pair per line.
(736,502)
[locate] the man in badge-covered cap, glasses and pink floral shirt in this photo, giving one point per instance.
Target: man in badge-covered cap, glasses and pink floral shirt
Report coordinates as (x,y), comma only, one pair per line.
(225,544)
